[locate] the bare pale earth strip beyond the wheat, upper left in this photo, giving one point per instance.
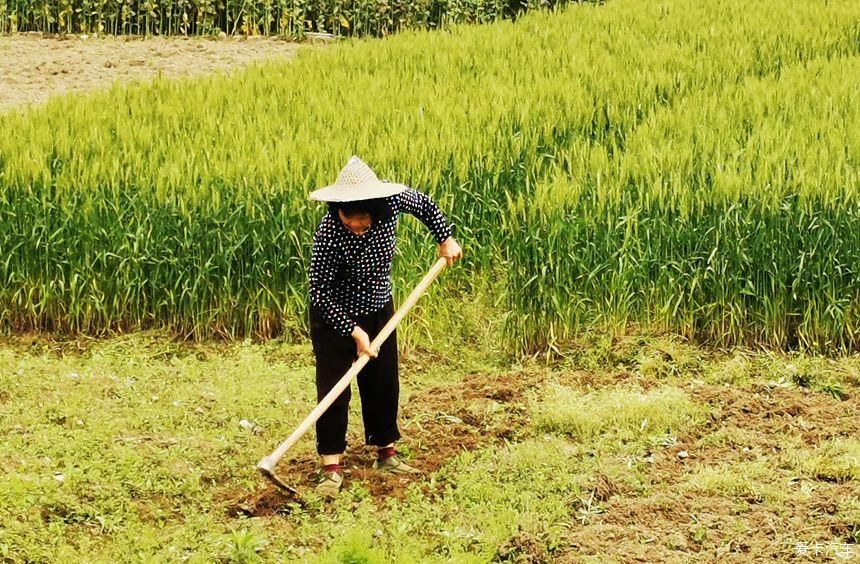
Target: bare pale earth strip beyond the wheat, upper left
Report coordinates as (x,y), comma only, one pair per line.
(34,68)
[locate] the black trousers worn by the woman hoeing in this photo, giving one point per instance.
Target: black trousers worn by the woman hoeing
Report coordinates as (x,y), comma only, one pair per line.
(378,382)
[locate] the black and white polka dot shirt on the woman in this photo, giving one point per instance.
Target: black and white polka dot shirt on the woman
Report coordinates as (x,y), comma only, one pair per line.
(351,274)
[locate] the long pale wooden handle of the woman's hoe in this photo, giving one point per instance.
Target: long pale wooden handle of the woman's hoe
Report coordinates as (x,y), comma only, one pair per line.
(267,464)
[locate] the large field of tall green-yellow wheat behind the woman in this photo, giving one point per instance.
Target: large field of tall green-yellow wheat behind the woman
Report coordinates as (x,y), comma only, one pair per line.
(664,163)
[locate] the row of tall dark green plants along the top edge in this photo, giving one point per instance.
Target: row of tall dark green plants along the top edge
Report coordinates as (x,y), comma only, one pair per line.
(267,17)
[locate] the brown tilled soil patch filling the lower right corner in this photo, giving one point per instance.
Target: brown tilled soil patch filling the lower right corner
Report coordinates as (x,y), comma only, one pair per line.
(671,524)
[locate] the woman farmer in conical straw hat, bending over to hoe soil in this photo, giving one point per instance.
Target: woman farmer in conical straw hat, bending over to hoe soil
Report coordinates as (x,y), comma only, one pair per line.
(350,291)
